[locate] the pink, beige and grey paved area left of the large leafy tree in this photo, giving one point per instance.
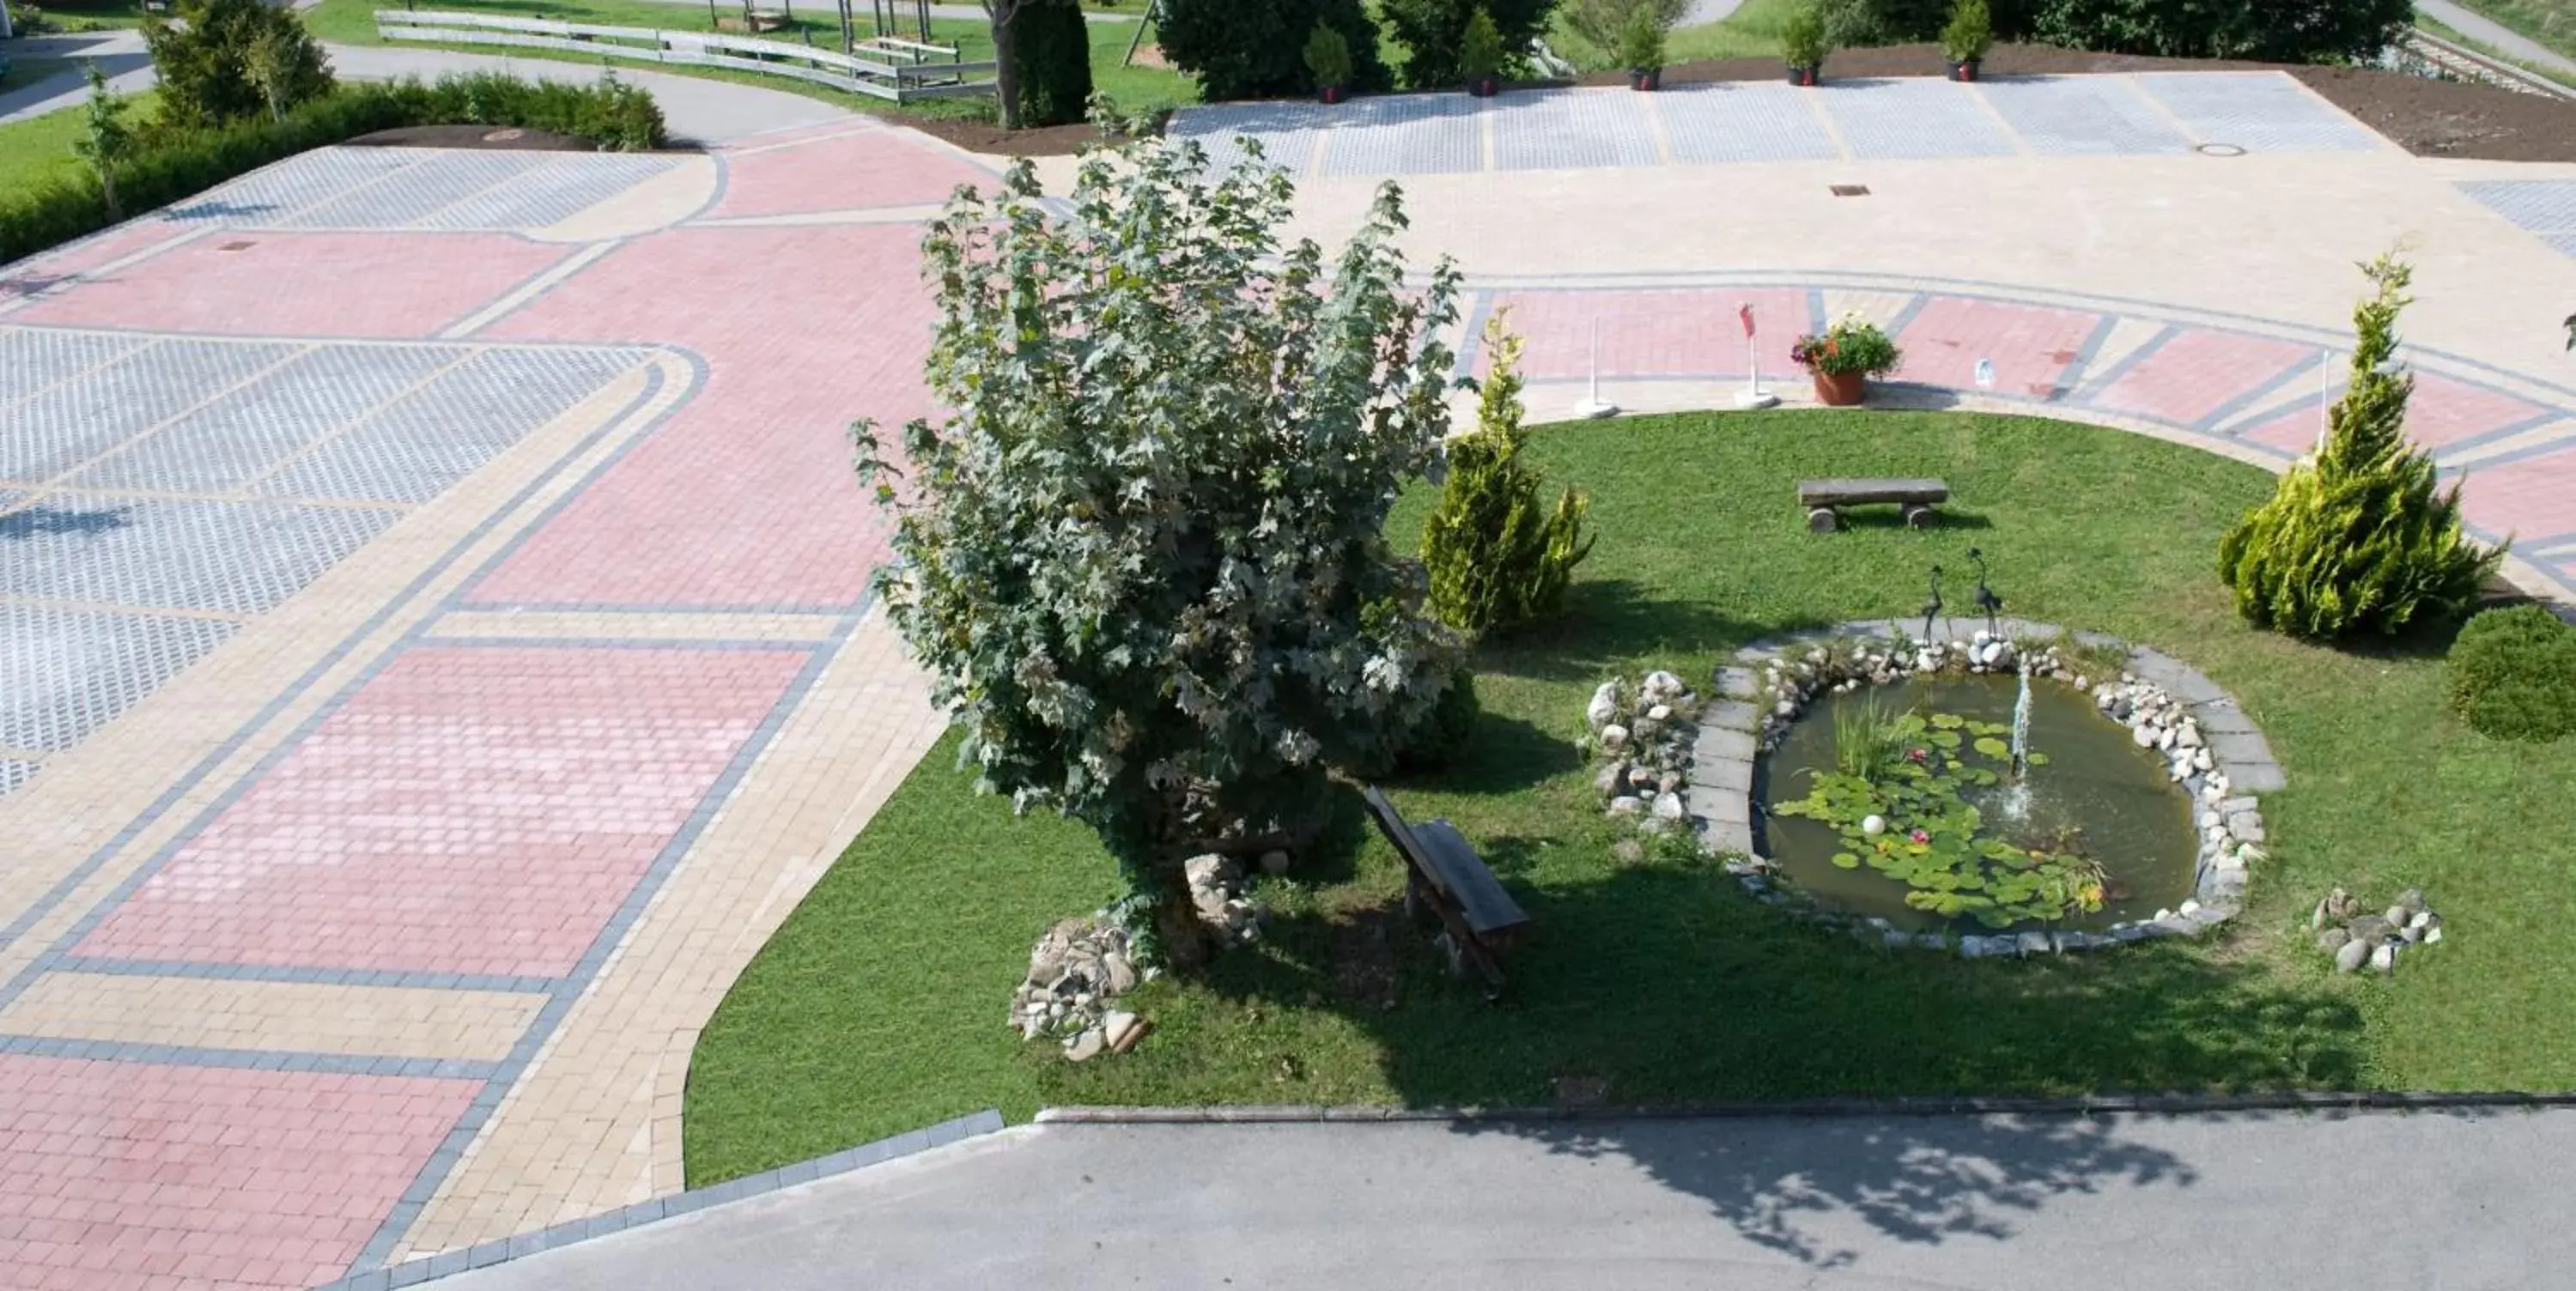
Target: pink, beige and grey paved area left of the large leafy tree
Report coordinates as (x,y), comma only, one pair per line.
(426,697)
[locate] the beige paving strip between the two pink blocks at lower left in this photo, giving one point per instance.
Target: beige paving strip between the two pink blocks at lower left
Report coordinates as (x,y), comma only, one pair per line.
(287,1017)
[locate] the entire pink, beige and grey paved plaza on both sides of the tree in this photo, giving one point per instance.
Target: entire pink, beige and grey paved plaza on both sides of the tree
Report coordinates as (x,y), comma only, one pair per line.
(434,597)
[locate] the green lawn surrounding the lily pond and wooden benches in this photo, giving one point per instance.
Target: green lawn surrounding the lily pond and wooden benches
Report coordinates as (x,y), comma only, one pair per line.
(882,1001)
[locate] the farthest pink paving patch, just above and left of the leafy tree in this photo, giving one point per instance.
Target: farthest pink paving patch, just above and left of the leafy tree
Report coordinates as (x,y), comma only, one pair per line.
(844,174)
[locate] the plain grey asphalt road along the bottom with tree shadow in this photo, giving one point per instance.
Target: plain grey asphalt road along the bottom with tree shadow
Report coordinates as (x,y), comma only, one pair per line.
(1866,1205)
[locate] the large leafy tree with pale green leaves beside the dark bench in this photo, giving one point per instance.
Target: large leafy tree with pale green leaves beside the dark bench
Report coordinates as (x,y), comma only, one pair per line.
(1145,555)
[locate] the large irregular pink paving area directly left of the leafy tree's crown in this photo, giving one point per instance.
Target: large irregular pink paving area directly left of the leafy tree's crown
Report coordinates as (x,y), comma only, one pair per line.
(748,496)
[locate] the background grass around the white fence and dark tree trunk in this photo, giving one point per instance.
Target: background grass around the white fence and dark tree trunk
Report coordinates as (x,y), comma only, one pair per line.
(352,22)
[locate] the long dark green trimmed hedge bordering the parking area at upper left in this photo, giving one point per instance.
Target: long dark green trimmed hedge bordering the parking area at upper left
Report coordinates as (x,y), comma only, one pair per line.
(179,164)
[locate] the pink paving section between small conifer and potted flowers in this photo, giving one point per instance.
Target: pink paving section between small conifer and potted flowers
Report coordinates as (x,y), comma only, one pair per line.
(1650,334)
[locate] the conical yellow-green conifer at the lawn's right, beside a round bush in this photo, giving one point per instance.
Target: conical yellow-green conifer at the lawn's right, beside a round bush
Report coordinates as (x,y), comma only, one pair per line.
(2363,537)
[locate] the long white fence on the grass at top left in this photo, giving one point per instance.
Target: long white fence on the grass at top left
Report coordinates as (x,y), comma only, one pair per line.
(900,81)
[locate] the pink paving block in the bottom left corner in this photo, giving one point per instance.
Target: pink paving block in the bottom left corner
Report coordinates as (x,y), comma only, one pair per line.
(120,1174)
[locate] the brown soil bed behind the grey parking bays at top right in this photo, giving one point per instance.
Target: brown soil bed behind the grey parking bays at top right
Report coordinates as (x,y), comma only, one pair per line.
(2425,117)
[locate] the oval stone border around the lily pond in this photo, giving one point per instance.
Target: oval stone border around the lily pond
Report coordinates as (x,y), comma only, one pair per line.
(2211,749)
